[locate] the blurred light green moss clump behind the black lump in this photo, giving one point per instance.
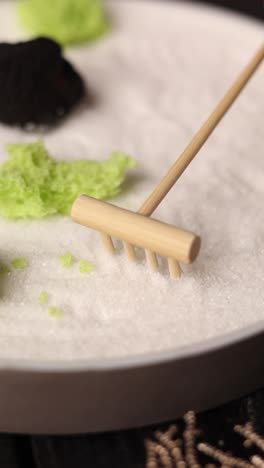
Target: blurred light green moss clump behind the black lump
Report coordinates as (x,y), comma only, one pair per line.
(65,21)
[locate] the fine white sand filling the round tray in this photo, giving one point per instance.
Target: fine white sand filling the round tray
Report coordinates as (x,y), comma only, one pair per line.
(156,78)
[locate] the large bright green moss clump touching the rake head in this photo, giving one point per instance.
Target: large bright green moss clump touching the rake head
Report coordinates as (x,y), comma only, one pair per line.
(34,185)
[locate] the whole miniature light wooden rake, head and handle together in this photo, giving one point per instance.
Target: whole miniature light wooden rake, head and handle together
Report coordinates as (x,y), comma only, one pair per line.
(138,229)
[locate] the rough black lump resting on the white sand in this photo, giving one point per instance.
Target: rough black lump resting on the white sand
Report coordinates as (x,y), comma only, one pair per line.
(37,85)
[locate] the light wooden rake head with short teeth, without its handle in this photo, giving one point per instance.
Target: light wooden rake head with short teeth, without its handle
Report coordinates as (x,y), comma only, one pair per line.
(134,229)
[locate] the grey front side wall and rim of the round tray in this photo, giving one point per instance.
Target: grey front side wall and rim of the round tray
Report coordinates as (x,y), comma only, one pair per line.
(97,396)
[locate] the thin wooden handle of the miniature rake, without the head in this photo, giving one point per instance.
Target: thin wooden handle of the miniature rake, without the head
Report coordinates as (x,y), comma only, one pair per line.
(165,185)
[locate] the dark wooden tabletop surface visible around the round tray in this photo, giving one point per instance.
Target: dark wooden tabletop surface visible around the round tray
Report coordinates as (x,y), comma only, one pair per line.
(126,449)
